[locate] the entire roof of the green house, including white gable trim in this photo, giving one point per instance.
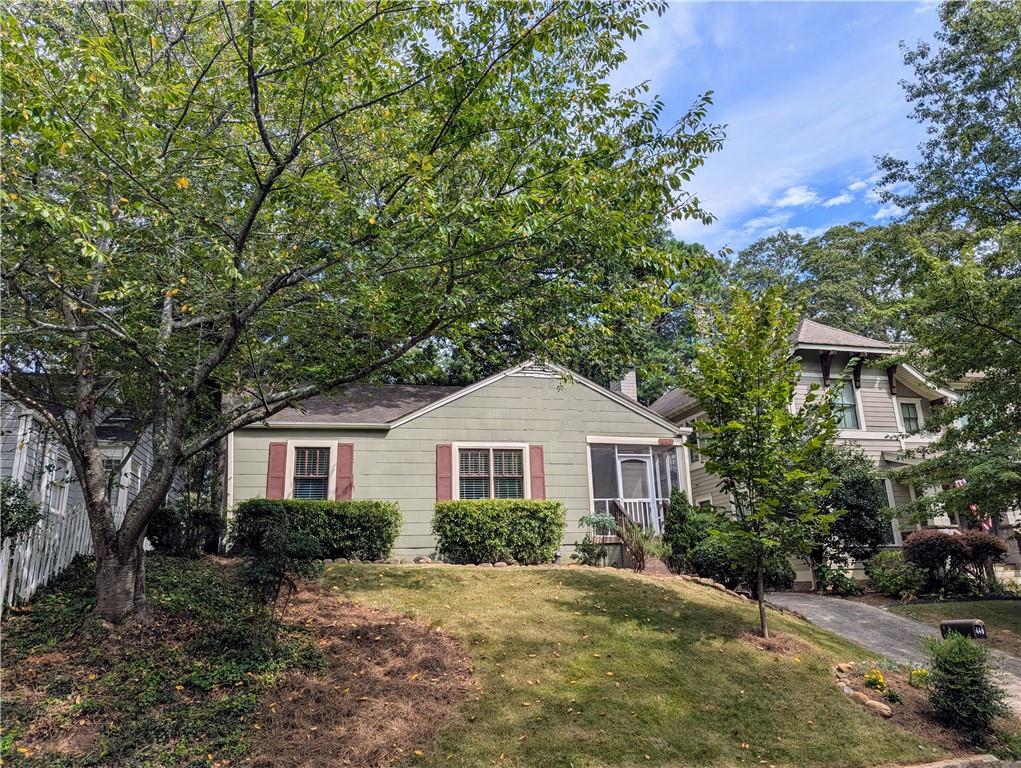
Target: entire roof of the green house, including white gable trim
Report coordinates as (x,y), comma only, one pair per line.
(390,406)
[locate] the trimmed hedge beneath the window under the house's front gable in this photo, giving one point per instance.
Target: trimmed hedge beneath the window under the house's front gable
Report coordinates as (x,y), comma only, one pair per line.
(490,531)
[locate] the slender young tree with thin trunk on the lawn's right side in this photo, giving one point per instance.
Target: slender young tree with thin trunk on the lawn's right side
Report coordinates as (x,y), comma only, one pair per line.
(765,452)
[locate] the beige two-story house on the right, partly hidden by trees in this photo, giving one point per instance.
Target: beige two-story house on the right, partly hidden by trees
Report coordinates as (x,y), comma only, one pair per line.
(884,412)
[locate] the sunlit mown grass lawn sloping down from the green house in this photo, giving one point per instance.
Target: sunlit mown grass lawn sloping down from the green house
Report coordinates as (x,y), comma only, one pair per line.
(579,667)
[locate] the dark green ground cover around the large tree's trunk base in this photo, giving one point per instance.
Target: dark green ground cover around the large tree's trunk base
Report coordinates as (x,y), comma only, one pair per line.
(182,690)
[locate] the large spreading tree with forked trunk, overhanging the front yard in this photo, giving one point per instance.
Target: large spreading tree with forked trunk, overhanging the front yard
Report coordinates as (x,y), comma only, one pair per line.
(270,201)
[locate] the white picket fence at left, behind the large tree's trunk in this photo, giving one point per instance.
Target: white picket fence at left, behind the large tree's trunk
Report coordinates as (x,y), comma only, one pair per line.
(44,553)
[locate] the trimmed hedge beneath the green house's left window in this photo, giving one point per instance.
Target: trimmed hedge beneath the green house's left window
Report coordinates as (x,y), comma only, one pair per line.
(362,530)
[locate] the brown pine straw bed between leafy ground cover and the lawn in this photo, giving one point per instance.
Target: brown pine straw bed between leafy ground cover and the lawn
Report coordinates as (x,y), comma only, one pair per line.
(391,686)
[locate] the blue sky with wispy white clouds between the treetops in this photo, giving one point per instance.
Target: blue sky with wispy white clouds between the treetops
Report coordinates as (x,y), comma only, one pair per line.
(810,94)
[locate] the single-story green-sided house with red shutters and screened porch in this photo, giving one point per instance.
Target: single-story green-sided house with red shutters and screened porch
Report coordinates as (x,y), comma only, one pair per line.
(533,431)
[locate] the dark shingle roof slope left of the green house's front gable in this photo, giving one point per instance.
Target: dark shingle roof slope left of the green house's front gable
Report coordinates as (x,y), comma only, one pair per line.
(364,404)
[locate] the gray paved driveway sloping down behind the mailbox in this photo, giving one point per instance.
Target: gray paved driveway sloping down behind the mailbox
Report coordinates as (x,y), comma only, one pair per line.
(885,633)
